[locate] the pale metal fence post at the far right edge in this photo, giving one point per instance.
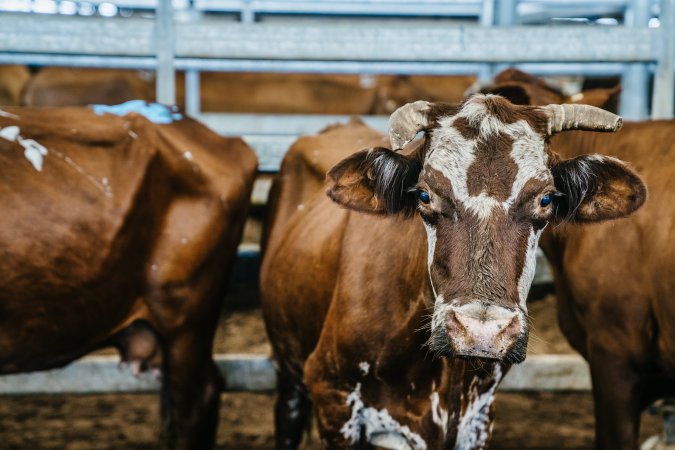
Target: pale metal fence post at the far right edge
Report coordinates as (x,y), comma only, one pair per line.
(664,78)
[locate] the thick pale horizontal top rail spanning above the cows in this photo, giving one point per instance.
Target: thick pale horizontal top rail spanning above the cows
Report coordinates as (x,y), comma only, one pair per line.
(330,41)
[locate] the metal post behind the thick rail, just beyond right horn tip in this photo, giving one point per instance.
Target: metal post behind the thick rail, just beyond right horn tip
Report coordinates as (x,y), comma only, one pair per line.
(635,79)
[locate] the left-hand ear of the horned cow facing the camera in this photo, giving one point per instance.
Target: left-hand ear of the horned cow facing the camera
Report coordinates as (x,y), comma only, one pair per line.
(376,181)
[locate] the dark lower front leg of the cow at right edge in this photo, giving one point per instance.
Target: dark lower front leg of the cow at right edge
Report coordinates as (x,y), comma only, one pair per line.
(616,395)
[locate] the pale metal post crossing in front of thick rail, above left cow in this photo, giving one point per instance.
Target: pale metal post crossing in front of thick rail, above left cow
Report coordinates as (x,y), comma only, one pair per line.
(164,38)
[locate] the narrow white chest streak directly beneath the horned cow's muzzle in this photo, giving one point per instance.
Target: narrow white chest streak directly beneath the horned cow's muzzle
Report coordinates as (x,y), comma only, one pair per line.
(474,427)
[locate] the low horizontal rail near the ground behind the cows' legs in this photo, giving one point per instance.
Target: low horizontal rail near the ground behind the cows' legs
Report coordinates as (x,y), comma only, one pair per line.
(246,372)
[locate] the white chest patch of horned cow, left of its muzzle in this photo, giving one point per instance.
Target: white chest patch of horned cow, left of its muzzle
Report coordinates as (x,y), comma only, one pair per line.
(379,428)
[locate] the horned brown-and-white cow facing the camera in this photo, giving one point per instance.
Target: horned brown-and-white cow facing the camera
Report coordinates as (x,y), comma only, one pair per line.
(396,303)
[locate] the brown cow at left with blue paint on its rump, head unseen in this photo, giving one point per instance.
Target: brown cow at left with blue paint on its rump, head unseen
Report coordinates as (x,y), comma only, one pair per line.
(120,231)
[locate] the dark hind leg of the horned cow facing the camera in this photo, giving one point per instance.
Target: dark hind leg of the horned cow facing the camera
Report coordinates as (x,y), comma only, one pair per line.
(292,411)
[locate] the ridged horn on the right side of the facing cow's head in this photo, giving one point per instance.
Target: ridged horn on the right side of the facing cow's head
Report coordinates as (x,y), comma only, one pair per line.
(580,117)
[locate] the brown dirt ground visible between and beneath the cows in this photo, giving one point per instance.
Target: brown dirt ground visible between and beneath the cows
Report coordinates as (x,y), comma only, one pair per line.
(131,421)
